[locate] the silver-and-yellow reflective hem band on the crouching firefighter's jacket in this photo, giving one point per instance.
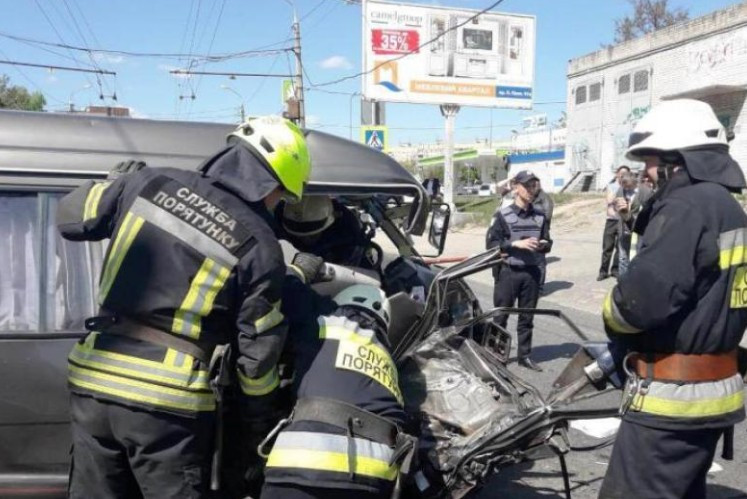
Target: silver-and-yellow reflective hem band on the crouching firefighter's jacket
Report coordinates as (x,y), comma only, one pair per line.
(326,452)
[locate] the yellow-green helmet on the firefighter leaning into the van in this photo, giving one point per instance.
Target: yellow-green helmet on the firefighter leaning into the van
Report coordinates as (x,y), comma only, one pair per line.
(282,145)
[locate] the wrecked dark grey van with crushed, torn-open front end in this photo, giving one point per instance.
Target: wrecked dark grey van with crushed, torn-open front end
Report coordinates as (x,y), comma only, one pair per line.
(472,415)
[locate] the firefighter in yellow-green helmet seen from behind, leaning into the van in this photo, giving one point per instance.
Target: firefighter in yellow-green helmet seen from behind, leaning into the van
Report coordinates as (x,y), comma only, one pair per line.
(192,265)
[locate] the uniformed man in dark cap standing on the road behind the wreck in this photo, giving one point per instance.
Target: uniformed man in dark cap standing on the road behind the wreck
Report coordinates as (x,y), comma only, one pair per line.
(523,235)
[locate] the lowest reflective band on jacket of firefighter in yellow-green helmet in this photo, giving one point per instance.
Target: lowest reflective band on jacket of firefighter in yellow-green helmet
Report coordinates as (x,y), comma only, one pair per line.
(139,391)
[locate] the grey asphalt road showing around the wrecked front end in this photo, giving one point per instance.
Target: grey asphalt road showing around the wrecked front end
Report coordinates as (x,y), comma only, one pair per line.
(554,344)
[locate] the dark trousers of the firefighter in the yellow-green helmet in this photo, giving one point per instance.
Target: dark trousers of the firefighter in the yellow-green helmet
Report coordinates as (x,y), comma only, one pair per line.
(125,453)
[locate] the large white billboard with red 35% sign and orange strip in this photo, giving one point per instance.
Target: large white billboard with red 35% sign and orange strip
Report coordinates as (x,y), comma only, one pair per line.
(436,55)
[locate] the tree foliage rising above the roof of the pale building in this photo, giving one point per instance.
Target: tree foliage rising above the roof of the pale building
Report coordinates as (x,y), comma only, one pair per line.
(647,16)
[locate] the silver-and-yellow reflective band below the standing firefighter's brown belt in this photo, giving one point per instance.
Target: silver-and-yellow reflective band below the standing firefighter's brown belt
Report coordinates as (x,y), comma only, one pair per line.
(692,400)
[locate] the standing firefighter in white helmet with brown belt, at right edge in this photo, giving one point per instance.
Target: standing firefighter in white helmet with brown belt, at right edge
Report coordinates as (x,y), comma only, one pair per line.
(681,309)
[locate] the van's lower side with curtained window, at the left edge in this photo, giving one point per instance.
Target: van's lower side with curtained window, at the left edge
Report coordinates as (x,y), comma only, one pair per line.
(47,289)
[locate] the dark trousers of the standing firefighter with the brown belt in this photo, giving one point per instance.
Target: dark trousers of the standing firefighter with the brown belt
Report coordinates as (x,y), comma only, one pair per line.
(663,464)
